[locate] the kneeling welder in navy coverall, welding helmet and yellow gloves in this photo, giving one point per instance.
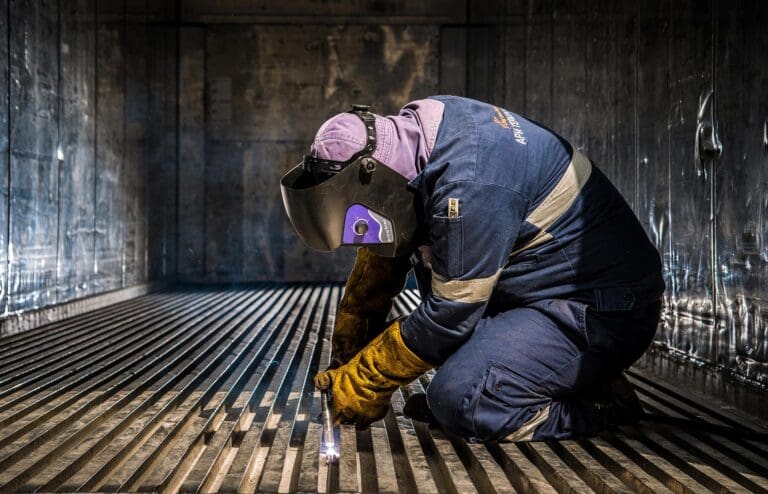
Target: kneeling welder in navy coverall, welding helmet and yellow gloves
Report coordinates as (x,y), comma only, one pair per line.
(539,285)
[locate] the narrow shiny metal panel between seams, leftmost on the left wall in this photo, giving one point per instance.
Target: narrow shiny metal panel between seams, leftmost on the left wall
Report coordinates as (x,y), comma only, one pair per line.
(33,175)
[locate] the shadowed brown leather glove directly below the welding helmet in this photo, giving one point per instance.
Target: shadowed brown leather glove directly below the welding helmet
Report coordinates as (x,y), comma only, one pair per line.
(371,287)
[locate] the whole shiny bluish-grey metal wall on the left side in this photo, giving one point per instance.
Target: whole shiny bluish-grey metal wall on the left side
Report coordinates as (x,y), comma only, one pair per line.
(87,148)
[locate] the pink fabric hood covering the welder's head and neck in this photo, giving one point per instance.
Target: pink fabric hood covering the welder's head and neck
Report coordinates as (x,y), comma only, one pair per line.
(403,142)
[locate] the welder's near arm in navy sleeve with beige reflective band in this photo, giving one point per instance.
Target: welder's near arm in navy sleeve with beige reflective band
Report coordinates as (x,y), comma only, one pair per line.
(473,228)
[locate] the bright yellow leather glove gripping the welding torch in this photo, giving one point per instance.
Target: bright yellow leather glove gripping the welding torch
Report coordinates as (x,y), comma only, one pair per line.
(361,388)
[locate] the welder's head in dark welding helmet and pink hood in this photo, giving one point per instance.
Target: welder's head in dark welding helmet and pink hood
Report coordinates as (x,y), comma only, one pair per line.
(352,187)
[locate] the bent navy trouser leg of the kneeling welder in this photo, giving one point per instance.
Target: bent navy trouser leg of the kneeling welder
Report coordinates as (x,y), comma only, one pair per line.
(523,376)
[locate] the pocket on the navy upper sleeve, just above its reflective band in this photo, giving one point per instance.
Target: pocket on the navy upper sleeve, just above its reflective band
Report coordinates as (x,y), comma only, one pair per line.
(447,236)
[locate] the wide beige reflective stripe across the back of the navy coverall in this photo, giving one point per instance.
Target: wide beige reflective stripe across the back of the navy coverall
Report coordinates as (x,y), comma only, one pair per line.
(559,200)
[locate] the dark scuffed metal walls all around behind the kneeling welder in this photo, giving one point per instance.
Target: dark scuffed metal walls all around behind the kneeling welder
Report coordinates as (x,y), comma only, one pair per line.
(144,141)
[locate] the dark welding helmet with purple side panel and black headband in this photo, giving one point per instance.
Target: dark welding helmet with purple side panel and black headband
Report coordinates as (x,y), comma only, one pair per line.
(360,201)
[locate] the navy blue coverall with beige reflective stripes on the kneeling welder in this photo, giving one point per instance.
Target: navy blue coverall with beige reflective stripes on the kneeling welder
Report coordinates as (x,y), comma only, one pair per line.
(538,282)
